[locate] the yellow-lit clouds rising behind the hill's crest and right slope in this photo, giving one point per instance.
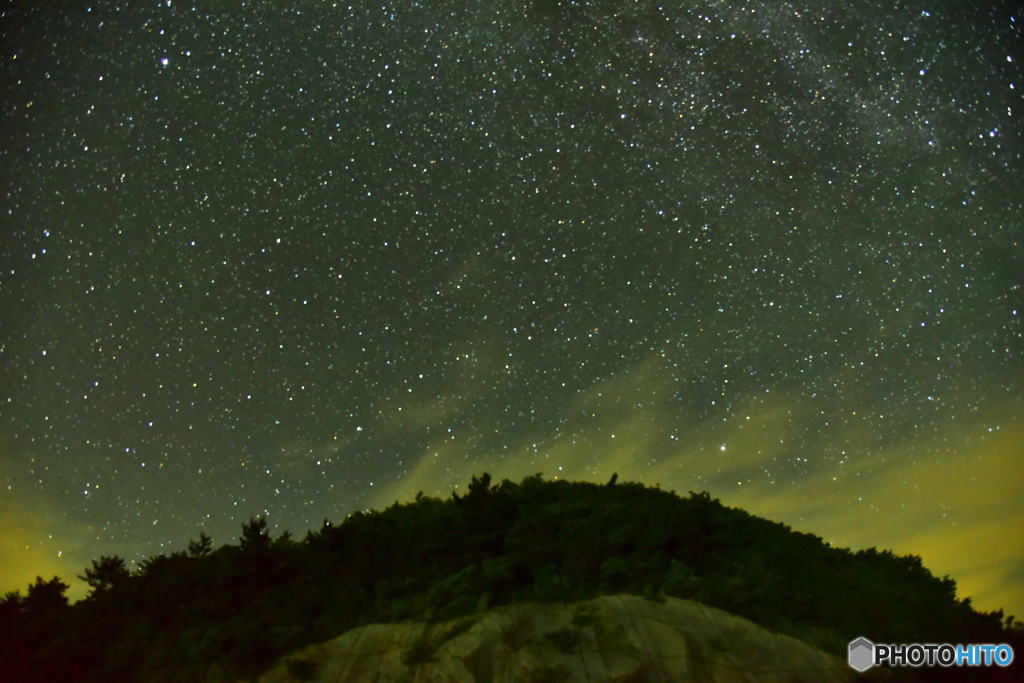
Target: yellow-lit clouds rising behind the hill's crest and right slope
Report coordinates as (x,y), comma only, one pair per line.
(962,515)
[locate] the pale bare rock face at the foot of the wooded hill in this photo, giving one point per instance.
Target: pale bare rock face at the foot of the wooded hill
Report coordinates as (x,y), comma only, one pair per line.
(622,638)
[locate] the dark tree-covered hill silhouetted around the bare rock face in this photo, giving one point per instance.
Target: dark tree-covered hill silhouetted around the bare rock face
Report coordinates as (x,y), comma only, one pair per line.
(236,610)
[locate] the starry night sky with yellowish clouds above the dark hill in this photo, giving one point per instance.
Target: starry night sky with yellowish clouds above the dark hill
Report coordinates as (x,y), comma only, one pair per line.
(304,259)
